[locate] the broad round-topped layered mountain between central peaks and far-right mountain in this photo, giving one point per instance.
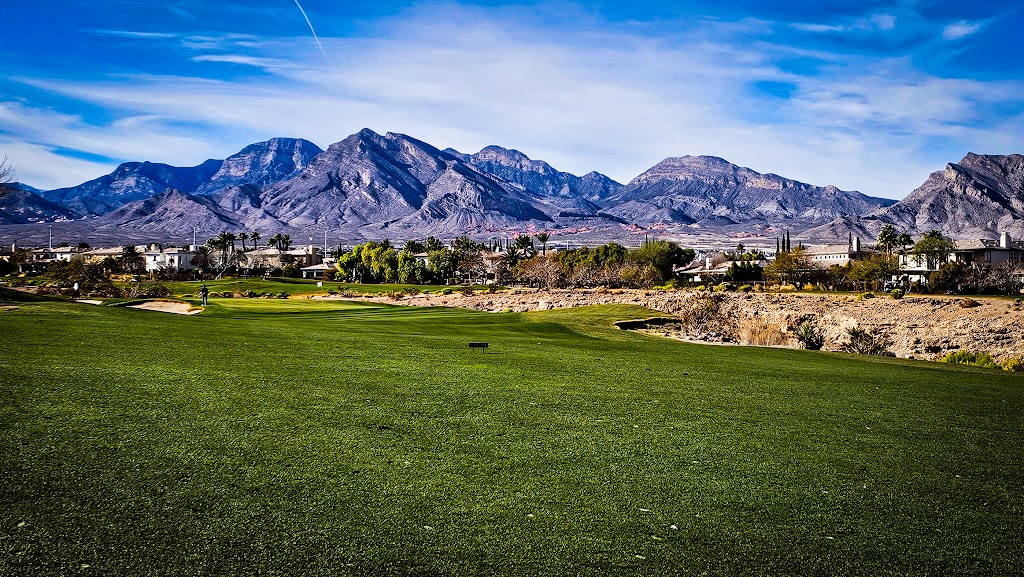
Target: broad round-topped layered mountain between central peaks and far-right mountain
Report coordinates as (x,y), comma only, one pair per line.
(712,192)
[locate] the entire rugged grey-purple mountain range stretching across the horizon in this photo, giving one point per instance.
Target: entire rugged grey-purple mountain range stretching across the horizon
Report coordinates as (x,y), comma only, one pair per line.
(371,186)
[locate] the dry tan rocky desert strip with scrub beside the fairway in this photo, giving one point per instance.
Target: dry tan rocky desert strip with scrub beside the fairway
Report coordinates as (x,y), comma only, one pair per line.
(925,327)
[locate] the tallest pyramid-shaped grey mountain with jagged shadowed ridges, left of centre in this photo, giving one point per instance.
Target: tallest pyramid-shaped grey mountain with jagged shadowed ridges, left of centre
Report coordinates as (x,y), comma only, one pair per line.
(395,182)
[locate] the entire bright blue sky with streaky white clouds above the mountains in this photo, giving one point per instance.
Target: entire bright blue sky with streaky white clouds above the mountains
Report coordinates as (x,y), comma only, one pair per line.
(864,96)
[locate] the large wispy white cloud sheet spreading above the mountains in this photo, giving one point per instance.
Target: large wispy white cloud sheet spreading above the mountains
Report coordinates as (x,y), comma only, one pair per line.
(596,99)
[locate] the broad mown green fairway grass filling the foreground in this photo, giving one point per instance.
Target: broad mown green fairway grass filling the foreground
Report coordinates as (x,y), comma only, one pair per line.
(297,437)
